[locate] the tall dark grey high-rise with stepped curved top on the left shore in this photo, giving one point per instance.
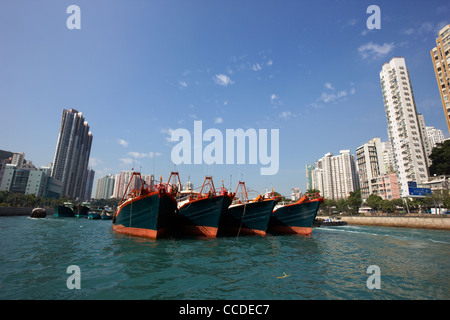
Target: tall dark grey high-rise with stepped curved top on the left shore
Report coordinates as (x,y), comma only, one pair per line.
(71,159)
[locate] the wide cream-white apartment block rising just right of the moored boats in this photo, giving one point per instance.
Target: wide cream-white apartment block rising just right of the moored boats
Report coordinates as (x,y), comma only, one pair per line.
(335,176)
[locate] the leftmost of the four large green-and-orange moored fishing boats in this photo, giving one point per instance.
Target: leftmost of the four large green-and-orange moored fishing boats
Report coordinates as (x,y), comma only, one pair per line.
(144,210)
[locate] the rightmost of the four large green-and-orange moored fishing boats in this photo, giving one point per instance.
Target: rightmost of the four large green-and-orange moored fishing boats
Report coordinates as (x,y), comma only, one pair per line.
(297,217)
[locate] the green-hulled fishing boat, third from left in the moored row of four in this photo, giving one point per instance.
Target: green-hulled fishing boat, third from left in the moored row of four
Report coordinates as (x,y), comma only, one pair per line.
(247,217)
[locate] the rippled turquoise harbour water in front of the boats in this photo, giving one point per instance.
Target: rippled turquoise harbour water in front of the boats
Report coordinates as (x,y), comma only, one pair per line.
(330,264)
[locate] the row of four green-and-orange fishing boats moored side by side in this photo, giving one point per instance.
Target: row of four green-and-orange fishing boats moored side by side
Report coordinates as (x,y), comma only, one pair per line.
(152,211)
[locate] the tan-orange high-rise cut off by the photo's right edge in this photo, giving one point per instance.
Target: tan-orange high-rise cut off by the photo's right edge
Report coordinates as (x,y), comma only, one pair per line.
(440,56)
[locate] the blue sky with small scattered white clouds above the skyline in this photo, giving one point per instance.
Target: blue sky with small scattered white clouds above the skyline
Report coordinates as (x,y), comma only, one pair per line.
(138,70)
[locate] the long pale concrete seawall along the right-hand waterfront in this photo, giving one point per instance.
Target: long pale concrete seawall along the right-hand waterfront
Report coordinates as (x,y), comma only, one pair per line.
(435,222)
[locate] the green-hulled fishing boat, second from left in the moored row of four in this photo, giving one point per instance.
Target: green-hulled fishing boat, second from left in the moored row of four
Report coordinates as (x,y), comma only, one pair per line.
(199,213)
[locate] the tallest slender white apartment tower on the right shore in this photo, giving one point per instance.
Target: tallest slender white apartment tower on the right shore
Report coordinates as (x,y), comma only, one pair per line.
(404,132)
